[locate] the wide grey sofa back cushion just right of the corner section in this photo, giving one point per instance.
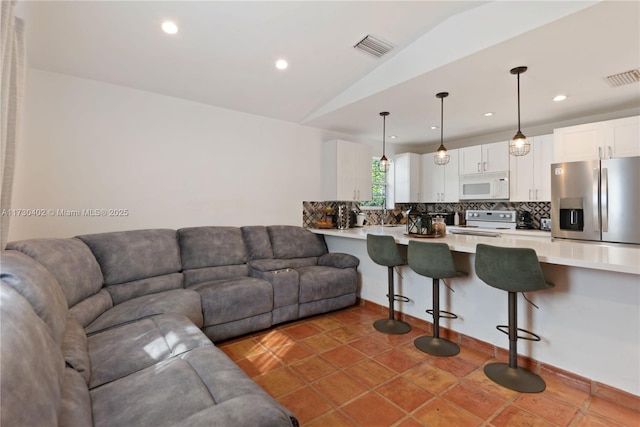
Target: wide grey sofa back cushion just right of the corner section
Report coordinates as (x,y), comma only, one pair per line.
(135,263)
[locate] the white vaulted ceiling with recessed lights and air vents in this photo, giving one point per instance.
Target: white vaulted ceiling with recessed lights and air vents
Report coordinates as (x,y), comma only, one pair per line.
(224,55)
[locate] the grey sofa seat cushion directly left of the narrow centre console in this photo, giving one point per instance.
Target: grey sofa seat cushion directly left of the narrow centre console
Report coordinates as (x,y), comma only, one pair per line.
(229,300)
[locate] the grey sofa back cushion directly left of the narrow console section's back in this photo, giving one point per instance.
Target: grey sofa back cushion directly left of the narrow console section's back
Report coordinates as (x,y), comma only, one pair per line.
(212,253)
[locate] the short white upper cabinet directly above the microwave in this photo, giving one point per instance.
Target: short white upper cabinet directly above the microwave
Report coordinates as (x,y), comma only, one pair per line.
(492,157)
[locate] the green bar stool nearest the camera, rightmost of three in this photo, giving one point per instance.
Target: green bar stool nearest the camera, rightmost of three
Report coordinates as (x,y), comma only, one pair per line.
(513,270)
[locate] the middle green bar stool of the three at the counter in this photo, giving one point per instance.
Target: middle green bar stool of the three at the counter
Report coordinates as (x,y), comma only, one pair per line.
(434,260)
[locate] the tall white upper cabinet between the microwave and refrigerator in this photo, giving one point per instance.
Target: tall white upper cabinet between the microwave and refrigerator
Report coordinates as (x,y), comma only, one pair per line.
(530,175)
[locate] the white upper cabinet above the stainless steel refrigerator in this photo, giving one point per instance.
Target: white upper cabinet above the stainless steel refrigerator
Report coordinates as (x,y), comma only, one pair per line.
(599,140)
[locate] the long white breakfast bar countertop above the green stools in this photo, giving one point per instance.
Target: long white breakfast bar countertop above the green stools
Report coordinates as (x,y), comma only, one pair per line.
(594,255)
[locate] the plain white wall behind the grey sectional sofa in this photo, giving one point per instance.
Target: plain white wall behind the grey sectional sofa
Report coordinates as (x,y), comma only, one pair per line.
(171,162)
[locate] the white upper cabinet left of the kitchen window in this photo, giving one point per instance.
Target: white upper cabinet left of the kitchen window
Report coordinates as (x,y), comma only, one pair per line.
(346,171)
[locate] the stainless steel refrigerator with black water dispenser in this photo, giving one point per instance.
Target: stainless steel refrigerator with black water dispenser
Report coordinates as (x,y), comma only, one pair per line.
(596,200)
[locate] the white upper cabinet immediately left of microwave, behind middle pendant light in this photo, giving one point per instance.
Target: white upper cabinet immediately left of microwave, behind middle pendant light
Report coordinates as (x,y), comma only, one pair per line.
(440,182)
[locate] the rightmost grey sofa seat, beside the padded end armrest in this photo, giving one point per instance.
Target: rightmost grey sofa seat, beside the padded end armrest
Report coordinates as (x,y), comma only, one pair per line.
(317,283)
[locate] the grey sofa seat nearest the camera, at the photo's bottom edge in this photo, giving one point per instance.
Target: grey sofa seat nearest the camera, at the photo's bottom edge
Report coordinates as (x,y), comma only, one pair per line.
(201,380)
